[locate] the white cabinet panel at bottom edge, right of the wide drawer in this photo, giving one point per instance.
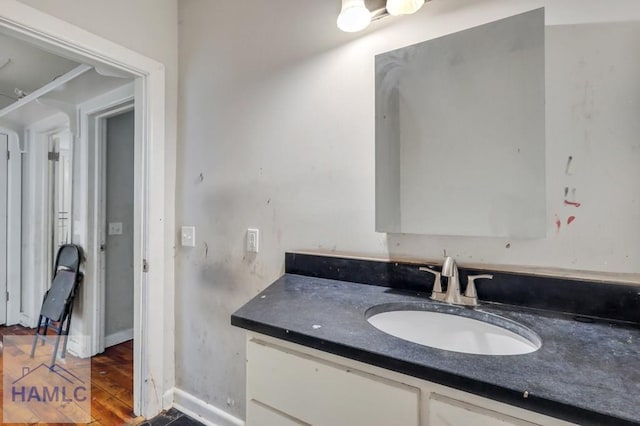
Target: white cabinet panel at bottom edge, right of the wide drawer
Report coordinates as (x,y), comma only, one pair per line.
(444,411)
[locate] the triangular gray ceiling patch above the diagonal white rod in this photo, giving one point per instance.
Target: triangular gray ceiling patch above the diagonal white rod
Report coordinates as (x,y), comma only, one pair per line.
(26,67)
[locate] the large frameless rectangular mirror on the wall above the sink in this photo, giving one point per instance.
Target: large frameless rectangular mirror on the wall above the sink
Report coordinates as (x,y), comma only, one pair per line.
(460,133)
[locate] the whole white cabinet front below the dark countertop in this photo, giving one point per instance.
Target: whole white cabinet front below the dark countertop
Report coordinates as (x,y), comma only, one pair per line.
(291,385)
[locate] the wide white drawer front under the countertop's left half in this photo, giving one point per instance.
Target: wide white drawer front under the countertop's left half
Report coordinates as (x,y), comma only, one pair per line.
(321,393)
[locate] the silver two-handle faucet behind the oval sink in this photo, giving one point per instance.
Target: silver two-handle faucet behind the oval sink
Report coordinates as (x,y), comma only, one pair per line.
(453,294)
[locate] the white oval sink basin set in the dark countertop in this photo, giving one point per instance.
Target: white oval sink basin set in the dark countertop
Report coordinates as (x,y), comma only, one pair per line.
(457,333)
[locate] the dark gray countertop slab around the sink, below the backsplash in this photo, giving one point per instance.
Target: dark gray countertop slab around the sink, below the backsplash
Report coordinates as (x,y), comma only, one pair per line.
(587,373)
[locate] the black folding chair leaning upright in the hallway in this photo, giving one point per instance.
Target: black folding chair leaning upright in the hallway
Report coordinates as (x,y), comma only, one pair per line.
(57,305)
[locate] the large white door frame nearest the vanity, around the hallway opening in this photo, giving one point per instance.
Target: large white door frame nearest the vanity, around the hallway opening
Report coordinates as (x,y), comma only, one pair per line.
(154,309)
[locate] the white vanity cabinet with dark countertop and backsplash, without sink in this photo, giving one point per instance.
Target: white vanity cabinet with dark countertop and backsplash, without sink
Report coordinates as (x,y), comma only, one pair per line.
(313,358)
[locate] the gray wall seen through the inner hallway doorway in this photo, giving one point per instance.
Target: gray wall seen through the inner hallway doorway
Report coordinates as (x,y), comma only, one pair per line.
(119,199)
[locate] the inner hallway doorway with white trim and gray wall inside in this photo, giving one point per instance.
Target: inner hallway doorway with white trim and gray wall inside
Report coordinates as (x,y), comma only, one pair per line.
(111,128)
